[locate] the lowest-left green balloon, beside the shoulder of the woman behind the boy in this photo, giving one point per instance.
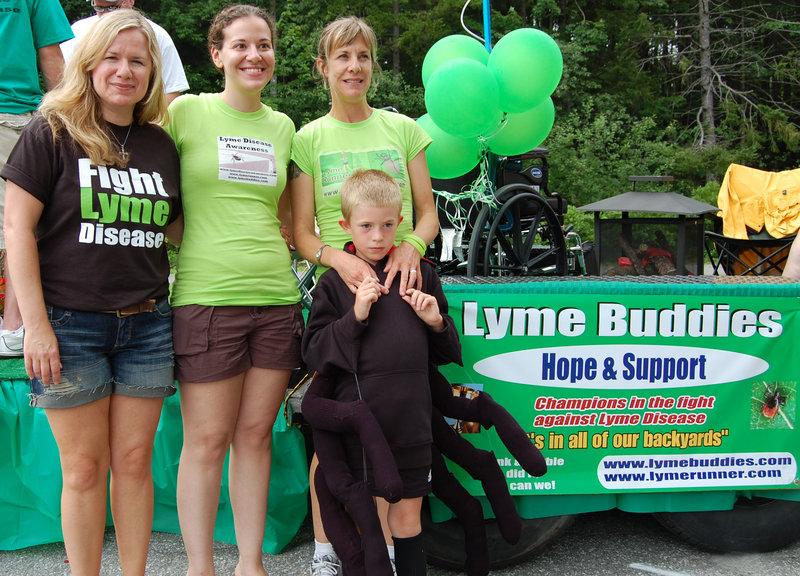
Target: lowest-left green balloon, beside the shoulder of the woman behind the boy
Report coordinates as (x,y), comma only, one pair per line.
(449,156)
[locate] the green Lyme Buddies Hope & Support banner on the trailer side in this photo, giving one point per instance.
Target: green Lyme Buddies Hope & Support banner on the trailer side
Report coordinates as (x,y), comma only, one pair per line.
(635,387)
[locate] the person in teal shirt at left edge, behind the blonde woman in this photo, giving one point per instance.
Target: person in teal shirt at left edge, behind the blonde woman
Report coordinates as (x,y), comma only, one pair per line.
(31,31)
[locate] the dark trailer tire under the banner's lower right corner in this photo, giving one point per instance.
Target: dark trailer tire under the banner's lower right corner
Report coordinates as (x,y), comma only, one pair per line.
(753,525)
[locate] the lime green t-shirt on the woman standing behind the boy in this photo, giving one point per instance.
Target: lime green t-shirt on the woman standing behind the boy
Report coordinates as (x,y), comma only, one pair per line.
(329,150)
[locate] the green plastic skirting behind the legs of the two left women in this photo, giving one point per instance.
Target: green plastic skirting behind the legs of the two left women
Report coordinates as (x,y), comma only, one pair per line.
(30,474)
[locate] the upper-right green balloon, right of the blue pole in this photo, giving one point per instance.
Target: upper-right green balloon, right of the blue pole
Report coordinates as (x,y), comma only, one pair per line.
(527,64)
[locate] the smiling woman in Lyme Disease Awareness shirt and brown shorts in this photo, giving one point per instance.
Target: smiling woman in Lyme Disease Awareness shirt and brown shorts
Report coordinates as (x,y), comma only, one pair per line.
(237,321)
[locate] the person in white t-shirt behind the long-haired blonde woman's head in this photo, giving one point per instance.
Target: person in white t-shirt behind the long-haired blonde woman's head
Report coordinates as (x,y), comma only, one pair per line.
(172,72)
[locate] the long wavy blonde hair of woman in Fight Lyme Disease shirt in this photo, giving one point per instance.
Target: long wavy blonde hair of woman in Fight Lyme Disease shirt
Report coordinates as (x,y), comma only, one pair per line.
(74,106)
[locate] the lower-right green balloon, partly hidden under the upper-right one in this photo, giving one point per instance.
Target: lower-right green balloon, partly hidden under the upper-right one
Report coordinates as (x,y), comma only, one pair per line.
(525,131)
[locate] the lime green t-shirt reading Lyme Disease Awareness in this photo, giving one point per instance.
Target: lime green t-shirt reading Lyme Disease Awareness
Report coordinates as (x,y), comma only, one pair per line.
(233,172)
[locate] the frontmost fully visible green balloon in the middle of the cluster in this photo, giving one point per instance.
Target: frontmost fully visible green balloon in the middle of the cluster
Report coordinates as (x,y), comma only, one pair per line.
(462,97)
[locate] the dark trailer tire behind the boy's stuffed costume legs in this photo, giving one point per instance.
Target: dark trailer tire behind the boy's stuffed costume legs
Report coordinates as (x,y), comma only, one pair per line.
(444,541)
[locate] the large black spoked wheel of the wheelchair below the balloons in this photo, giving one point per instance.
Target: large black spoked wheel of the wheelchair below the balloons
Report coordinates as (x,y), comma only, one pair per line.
(522,237)
